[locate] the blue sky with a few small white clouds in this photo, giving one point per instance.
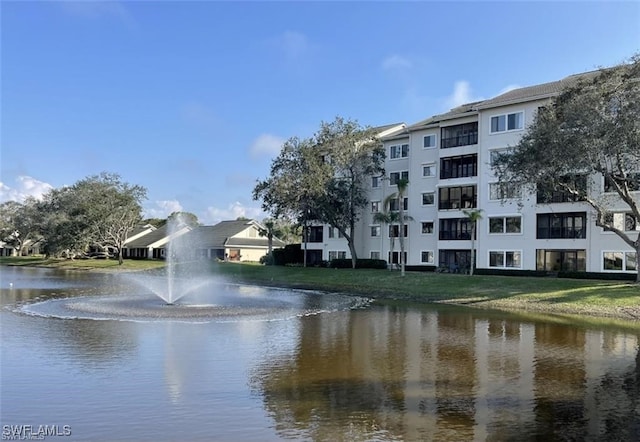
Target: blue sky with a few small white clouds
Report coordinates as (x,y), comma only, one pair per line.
(192,100)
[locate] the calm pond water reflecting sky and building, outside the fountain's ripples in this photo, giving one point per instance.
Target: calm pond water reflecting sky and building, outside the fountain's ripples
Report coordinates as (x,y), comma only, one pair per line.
(376,373)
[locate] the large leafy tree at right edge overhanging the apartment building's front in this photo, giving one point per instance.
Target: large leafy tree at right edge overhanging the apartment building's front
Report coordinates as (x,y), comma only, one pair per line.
(591,130)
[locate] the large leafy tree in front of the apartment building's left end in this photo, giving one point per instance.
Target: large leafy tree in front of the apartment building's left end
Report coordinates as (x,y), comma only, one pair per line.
(324,178)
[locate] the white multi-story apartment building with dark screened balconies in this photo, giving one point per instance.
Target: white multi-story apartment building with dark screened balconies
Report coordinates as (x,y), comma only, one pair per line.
(447,159)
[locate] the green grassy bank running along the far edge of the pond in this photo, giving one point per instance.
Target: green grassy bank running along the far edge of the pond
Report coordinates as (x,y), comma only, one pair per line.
(605,299)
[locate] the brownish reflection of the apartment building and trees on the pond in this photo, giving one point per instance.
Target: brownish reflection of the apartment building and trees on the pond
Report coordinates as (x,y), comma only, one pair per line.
(400,373)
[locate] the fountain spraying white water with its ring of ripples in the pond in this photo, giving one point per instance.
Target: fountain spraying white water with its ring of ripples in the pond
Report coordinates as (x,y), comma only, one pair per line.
(186,289)
